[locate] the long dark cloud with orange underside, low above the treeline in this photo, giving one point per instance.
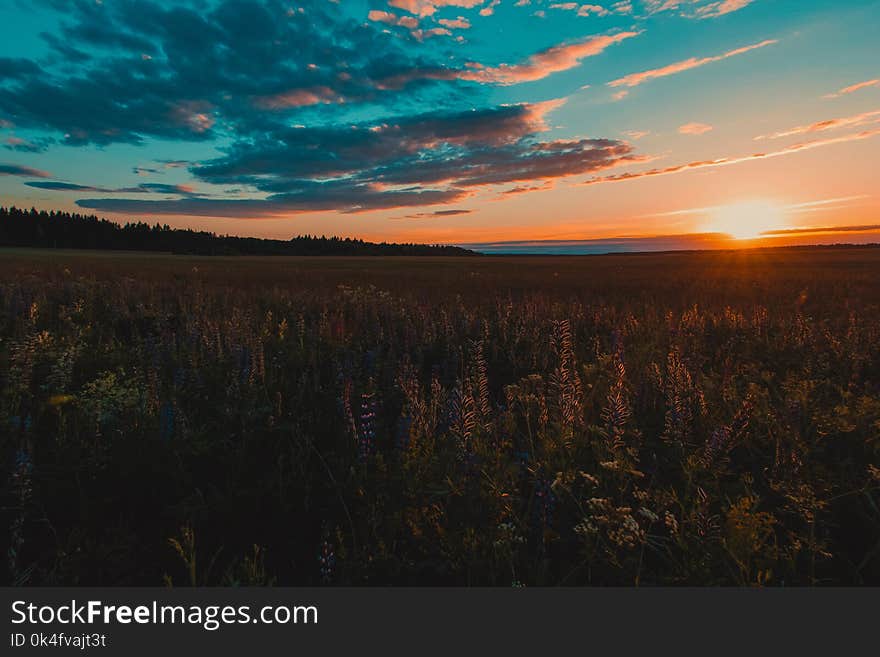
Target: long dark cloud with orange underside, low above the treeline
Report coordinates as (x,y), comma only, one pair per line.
(433,158)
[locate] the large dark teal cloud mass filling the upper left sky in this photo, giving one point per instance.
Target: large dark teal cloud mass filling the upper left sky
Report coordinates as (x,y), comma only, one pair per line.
(196,71)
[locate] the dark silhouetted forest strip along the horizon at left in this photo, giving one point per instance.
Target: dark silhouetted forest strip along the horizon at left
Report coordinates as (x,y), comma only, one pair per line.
(63,230)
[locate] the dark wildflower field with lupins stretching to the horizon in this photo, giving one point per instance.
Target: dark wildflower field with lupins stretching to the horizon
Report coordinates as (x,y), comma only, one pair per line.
(671,419)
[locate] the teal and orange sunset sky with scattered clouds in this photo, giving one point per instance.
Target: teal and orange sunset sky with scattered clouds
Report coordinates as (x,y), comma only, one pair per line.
(510,126)
